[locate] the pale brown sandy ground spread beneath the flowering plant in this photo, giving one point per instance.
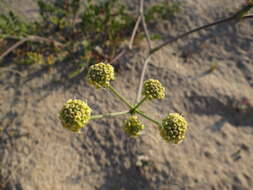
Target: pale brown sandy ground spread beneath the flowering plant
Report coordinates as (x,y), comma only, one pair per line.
(217,154)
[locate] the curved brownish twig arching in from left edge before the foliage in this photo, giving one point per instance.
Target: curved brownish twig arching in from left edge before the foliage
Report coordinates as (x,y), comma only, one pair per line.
(29,38)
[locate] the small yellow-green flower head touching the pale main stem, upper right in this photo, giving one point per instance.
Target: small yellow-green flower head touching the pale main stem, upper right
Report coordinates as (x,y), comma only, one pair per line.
(153,89)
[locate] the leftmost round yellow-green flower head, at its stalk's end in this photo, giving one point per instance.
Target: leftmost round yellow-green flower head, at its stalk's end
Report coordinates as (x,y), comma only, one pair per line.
(74,115)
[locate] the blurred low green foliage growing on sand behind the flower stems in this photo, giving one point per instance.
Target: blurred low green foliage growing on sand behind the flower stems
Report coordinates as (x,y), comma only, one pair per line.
(83,27)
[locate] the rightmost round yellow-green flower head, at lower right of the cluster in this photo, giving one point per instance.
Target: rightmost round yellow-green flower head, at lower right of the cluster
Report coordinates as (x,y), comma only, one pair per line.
(173,128)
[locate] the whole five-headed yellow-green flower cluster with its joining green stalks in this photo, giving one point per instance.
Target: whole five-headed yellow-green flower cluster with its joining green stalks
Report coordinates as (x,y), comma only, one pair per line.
(76,113)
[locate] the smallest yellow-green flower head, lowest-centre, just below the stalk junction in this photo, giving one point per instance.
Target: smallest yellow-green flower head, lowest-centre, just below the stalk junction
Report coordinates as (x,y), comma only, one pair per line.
(132,126)
